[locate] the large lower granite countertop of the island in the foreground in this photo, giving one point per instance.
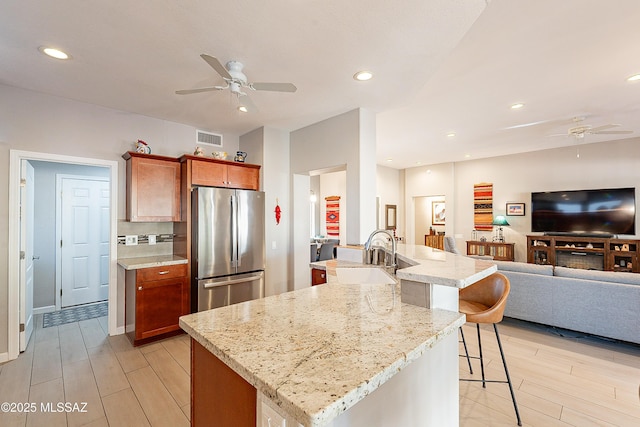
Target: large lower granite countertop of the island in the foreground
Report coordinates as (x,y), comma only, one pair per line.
(317,351)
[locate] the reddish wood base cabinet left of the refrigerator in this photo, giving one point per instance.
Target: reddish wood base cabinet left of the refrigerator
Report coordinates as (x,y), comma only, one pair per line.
(155,298)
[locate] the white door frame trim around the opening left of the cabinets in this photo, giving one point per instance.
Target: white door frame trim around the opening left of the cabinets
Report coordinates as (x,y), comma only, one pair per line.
(15,296)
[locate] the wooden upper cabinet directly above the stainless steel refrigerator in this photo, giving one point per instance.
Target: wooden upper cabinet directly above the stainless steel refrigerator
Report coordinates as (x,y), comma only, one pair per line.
(221,173)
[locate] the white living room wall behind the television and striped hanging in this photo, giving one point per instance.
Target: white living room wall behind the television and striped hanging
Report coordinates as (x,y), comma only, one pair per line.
(607,164)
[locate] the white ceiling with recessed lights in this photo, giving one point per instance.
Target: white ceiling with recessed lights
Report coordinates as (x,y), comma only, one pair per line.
(440,65)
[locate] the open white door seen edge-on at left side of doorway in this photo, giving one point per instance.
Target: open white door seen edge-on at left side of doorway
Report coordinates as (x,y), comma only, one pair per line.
(26,253)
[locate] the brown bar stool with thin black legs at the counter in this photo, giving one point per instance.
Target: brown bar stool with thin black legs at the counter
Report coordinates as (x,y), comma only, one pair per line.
(484,302)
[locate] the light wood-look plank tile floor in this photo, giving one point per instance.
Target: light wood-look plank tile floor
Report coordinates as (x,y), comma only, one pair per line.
(559,380)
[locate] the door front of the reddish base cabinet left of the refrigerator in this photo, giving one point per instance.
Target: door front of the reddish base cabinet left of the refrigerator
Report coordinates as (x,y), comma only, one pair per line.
(159,304)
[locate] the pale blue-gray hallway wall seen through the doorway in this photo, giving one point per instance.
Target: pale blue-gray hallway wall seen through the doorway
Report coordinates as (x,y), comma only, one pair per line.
(44,248)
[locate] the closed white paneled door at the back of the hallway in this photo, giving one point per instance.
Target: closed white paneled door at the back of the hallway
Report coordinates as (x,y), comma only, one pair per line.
(84,240)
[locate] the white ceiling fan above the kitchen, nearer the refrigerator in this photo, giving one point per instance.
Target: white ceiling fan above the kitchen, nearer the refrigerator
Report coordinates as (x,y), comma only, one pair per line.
(236,81)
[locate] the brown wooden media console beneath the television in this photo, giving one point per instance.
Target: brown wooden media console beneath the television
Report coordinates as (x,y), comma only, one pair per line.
(586,252)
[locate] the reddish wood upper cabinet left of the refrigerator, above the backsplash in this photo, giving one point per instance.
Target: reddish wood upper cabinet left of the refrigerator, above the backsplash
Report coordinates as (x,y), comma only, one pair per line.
(153,188)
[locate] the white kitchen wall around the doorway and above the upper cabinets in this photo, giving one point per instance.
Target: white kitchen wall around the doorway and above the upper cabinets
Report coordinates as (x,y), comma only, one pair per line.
(31,121)
